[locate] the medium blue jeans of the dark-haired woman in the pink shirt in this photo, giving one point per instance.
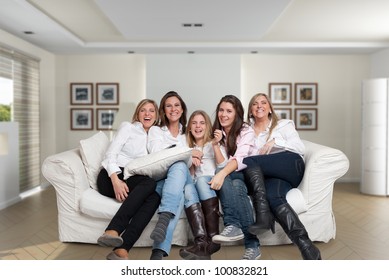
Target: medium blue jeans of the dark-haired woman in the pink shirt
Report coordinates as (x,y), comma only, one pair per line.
(237,210)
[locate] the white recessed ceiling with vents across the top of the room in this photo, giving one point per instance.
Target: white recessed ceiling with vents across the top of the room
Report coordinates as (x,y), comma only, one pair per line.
(199,26)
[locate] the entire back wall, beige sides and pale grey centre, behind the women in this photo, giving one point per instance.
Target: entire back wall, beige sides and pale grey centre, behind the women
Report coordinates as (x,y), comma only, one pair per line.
(206,78)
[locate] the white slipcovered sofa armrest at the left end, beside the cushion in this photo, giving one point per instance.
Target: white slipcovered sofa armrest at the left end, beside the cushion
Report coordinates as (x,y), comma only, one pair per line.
(66,172)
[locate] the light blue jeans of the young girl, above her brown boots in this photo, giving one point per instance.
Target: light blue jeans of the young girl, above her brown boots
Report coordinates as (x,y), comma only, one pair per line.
(201,190)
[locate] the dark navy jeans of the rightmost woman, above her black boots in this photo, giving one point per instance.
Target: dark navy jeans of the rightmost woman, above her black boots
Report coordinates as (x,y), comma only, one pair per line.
(282,171)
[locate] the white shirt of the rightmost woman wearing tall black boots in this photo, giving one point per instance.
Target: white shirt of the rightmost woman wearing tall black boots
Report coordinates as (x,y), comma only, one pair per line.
(285,135)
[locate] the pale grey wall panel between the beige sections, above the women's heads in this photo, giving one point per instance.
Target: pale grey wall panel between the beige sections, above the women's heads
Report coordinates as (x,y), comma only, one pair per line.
(201,80)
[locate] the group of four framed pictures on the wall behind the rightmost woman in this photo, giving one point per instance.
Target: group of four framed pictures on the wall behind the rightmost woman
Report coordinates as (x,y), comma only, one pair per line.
(297,102)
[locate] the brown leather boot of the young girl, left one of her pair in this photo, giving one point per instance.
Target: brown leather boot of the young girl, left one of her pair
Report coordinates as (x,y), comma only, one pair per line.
(199,251)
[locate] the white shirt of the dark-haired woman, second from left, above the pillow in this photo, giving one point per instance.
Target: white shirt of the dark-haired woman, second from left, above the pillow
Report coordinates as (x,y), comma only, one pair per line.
(160,138)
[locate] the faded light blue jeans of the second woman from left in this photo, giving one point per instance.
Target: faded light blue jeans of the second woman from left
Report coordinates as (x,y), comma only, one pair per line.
(171,191)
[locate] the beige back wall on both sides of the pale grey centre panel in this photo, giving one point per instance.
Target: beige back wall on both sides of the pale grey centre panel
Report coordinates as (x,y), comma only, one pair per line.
(339,78)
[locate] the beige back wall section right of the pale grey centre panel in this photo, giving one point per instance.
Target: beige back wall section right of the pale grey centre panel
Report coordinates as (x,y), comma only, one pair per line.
(339,95)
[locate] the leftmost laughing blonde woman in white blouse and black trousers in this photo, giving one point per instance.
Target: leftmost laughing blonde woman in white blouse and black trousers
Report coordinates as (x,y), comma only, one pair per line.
(137,194)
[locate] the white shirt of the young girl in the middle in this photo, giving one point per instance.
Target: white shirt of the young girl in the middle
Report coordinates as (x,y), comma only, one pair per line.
(208,162)
